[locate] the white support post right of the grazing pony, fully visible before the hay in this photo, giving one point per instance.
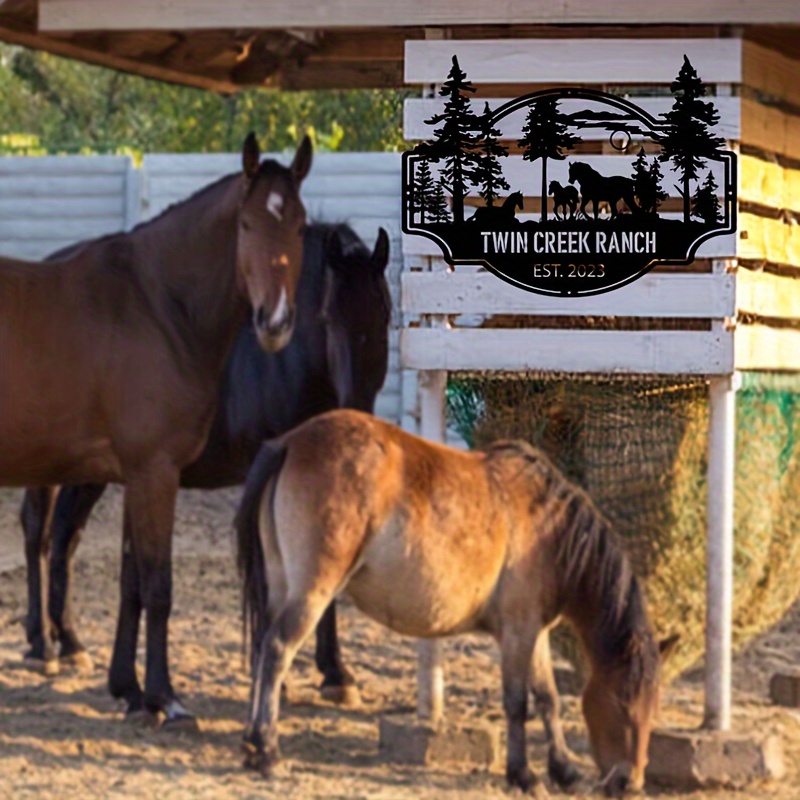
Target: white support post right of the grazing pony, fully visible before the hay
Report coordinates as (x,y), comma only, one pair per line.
(719,551)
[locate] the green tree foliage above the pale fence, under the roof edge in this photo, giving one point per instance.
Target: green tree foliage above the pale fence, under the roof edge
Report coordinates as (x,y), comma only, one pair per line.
(54,105)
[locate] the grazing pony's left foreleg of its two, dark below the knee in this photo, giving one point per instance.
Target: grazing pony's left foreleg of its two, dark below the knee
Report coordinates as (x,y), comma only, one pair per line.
(516,649)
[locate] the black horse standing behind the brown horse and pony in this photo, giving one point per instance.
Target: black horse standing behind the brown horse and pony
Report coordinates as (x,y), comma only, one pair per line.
(337,358)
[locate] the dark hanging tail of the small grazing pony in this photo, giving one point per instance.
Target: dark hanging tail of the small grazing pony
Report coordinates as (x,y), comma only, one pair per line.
(249,552)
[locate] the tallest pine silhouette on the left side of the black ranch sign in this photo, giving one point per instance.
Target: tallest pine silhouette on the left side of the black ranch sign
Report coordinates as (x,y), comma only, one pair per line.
(457,141)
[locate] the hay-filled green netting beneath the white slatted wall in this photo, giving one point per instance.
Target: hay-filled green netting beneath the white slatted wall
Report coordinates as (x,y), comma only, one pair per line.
(638,446)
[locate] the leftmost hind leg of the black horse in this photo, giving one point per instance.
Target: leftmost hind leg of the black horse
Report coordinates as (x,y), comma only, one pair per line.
(36,516)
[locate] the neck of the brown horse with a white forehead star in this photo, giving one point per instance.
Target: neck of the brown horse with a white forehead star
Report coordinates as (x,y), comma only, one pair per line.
(187,262)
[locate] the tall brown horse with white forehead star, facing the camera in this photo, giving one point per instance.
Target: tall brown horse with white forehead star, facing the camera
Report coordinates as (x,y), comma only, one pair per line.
(111,363)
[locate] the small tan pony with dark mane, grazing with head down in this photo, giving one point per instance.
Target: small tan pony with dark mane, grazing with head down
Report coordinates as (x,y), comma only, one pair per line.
(432,541)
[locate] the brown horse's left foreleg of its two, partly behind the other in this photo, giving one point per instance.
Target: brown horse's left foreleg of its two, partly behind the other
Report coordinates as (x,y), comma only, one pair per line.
(122,680)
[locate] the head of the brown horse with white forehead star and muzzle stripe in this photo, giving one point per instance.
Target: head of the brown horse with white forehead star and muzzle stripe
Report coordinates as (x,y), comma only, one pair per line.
(269,246)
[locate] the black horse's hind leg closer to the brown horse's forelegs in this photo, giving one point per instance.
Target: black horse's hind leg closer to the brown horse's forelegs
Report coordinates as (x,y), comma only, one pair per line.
(75,504)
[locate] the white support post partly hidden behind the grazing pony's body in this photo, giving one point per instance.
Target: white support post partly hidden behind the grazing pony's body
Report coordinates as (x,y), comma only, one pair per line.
(430,670)
